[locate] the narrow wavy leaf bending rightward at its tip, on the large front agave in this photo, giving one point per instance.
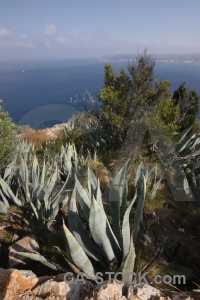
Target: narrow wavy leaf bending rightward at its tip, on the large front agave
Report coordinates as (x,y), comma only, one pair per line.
(126,229)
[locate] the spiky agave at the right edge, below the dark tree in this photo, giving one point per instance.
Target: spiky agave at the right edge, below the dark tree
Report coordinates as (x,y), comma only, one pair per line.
(183,161)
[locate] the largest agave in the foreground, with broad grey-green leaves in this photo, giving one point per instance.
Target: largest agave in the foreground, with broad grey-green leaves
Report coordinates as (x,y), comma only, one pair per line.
(109,245)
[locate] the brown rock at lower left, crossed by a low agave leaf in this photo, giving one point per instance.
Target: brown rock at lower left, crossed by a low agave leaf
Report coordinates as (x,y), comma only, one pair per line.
(26,244)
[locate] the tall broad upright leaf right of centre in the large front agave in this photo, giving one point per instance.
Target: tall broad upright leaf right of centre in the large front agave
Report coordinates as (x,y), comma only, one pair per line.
(115,199)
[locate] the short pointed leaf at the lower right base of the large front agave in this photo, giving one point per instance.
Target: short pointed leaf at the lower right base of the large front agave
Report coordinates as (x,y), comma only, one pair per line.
(129,264)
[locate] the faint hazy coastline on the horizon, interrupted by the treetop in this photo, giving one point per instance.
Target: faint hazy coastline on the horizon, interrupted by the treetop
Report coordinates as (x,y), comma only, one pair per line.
(193,58)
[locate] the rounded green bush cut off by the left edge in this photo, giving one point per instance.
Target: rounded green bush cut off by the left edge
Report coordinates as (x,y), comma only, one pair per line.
(7,138)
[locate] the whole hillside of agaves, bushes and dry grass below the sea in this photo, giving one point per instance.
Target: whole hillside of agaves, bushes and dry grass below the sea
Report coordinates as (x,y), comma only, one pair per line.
(117,188)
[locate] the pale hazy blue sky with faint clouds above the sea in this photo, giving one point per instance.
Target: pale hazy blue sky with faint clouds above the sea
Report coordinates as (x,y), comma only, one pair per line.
(37,29)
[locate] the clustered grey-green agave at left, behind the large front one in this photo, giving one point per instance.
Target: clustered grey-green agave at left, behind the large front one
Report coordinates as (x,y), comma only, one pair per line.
(36,189)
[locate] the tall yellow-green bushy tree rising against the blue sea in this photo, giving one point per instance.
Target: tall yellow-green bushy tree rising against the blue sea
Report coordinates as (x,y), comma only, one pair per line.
(123,94)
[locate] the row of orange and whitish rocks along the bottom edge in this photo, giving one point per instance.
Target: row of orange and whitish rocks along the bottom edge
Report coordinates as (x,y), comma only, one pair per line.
(25,285)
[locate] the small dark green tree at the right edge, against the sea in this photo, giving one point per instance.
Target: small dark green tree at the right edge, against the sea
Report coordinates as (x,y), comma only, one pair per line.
(188,102)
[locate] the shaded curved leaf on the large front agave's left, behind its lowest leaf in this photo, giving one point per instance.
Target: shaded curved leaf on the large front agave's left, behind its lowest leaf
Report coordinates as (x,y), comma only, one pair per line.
(90,248)
